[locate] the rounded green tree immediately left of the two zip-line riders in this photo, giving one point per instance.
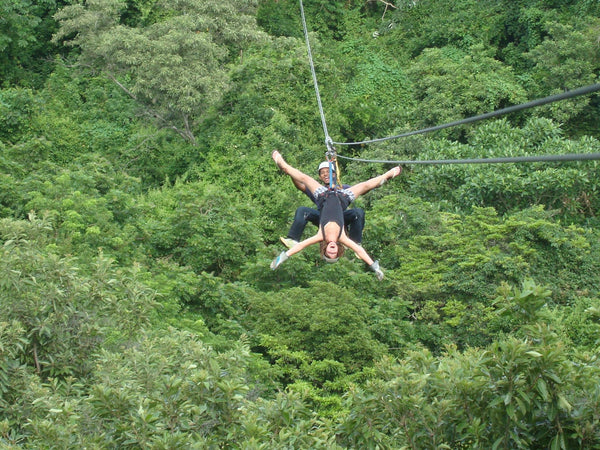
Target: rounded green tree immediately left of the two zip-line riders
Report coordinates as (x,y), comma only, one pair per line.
(201,226)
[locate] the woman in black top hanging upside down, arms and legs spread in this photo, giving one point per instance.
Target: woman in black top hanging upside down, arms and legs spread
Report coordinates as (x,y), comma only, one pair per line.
(331,204)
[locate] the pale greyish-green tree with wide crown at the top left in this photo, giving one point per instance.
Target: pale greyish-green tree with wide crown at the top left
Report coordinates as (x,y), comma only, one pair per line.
(176,67)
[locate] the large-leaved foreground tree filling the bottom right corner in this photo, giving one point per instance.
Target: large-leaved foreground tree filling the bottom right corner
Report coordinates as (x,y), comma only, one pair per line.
(516,393)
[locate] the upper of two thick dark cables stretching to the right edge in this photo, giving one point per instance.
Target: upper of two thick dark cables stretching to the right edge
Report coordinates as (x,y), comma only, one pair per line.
(552,98)
